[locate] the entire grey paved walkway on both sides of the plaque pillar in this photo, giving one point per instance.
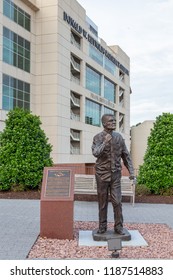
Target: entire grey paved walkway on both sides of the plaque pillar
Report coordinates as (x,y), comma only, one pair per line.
(20,221)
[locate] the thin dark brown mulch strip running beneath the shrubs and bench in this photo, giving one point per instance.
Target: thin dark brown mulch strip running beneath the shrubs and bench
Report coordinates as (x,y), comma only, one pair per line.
(37,194)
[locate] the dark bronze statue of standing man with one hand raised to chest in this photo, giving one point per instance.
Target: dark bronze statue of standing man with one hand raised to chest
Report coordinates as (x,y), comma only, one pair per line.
(109,148)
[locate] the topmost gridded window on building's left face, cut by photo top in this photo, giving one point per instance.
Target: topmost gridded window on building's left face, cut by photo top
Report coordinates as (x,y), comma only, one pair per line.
(16,14)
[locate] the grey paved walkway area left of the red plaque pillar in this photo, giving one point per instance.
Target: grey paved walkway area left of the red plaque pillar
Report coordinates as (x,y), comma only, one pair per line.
(19,227)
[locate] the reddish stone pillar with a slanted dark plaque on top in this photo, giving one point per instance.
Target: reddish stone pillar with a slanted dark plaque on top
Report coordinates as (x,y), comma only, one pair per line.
(57,203)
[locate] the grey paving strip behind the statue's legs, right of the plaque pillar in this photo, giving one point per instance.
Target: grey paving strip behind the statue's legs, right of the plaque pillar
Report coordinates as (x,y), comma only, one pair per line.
(140,213)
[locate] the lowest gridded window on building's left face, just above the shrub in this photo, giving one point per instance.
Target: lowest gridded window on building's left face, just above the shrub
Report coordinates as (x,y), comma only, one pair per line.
(15,93)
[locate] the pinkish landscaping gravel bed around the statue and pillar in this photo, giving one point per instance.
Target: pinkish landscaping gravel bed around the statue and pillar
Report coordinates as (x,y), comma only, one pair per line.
(158,236)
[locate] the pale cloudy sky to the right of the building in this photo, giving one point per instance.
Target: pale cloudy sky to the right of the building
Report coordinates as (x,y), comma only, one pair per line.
(144,30)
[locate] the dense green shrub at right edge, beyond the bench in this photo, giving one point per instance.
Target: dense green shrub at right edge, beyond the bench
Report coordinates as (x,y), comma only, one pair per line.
(157,170)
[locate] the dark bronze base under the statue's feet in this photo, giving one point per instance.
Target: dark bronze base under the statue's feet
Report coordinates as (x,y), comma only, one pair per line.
(109,234)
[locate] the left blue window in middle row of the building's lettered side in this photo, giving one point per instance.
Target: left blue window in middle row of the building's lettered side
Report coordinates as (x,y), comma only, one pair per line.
(93,80)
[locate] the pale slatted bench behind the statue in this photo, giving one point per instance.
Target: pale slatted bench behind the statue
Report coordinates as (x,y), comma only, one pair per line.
(86,184)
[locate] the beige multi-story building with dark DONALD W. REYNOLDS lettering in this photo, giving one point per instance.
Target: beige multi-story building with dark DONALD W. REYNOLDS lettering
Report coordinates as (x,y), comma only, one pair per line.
(53,63)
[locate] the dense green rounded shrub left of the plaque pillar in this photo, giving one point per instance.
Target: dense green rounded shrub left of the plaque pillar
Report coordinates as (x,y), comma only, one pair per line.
(24,151)
